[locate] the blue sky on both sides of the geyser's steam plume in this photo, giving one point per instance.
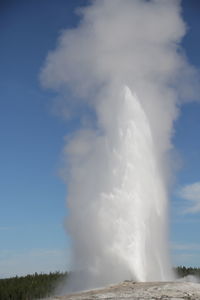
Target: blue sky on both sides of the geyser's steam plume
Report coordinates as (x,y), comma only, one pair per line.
(32,194)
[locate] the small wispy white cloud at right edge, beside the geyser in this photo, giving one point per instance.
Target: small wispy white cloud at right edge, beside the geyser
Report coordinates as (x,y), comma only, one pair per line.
(191,192)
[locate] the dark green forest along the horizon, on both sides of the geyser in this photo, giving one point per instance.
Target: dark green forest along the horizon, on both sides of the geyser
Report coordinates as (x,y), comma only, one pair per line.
(39,286)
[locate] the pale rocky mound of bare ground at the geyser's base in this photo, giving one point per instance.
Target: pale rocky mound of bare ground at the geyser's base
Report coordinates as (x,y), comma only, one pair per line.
(148,290)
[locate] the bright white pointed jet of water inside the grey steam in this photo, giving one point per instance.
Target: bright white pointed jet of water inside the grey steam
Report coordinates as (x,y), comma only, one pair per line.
(134,205)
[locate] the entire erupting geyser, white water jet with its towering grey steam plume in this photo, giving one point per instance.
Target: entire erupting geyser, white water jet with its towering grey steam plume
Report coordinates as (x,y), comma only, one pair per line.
(123,62)
